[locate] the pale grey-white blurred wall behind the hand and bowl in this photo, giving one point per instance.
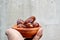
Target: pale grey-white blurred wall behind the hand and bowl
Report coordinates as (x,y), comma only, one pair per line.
(47,13)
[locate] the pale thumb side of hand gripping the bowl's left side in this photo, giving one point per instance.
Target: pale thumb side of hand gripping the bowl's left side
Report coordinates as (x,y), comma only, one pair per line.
(13,34)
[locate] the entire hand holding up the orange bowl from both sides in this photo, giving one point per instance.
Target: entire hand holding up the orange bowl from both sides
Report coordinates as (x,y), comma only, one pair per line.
(13,34)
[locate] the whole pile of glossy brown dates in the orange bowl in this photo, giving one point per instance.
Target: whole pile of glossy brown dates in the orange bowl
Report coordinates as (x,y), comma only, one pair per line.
(28,23)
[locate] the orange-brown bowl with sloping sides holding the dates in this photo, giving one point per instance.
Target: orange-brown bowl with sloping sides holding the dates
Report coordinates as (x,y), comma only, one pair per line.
(27,32)
